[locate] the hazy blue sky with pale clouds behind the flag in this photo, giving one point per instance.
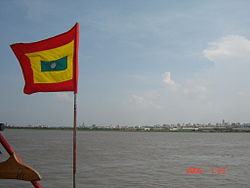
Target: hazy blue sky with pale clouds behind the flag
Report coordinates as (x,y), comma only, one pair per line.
(141,62)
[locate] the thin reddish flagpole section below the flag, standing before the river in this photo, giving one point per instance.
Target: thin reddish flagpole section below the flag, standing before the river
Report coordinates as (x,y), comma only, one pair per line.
(74,143)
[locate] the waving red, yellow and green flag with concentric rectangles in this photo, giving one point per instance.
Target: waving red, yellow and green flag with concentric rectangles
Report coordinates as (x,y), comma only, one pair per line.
(50,65)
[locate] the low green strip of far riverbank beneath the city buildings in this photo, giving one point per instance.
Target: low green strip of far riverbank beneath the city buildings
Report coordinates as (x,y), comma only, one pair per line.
(140,129)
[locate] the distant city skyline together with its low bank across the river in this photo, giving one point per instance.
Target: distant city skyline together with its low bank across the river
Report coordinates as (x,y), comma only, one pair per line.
(184,127)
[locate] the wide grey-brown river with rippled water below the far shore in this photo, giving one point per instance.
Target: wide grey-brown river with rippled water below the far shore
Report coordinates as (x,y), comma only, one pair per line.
(133,159)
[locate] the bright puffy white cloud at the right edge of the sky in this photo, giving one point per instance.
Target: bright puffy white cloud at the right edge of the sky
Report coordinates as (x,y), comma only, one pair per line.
(231,57)
